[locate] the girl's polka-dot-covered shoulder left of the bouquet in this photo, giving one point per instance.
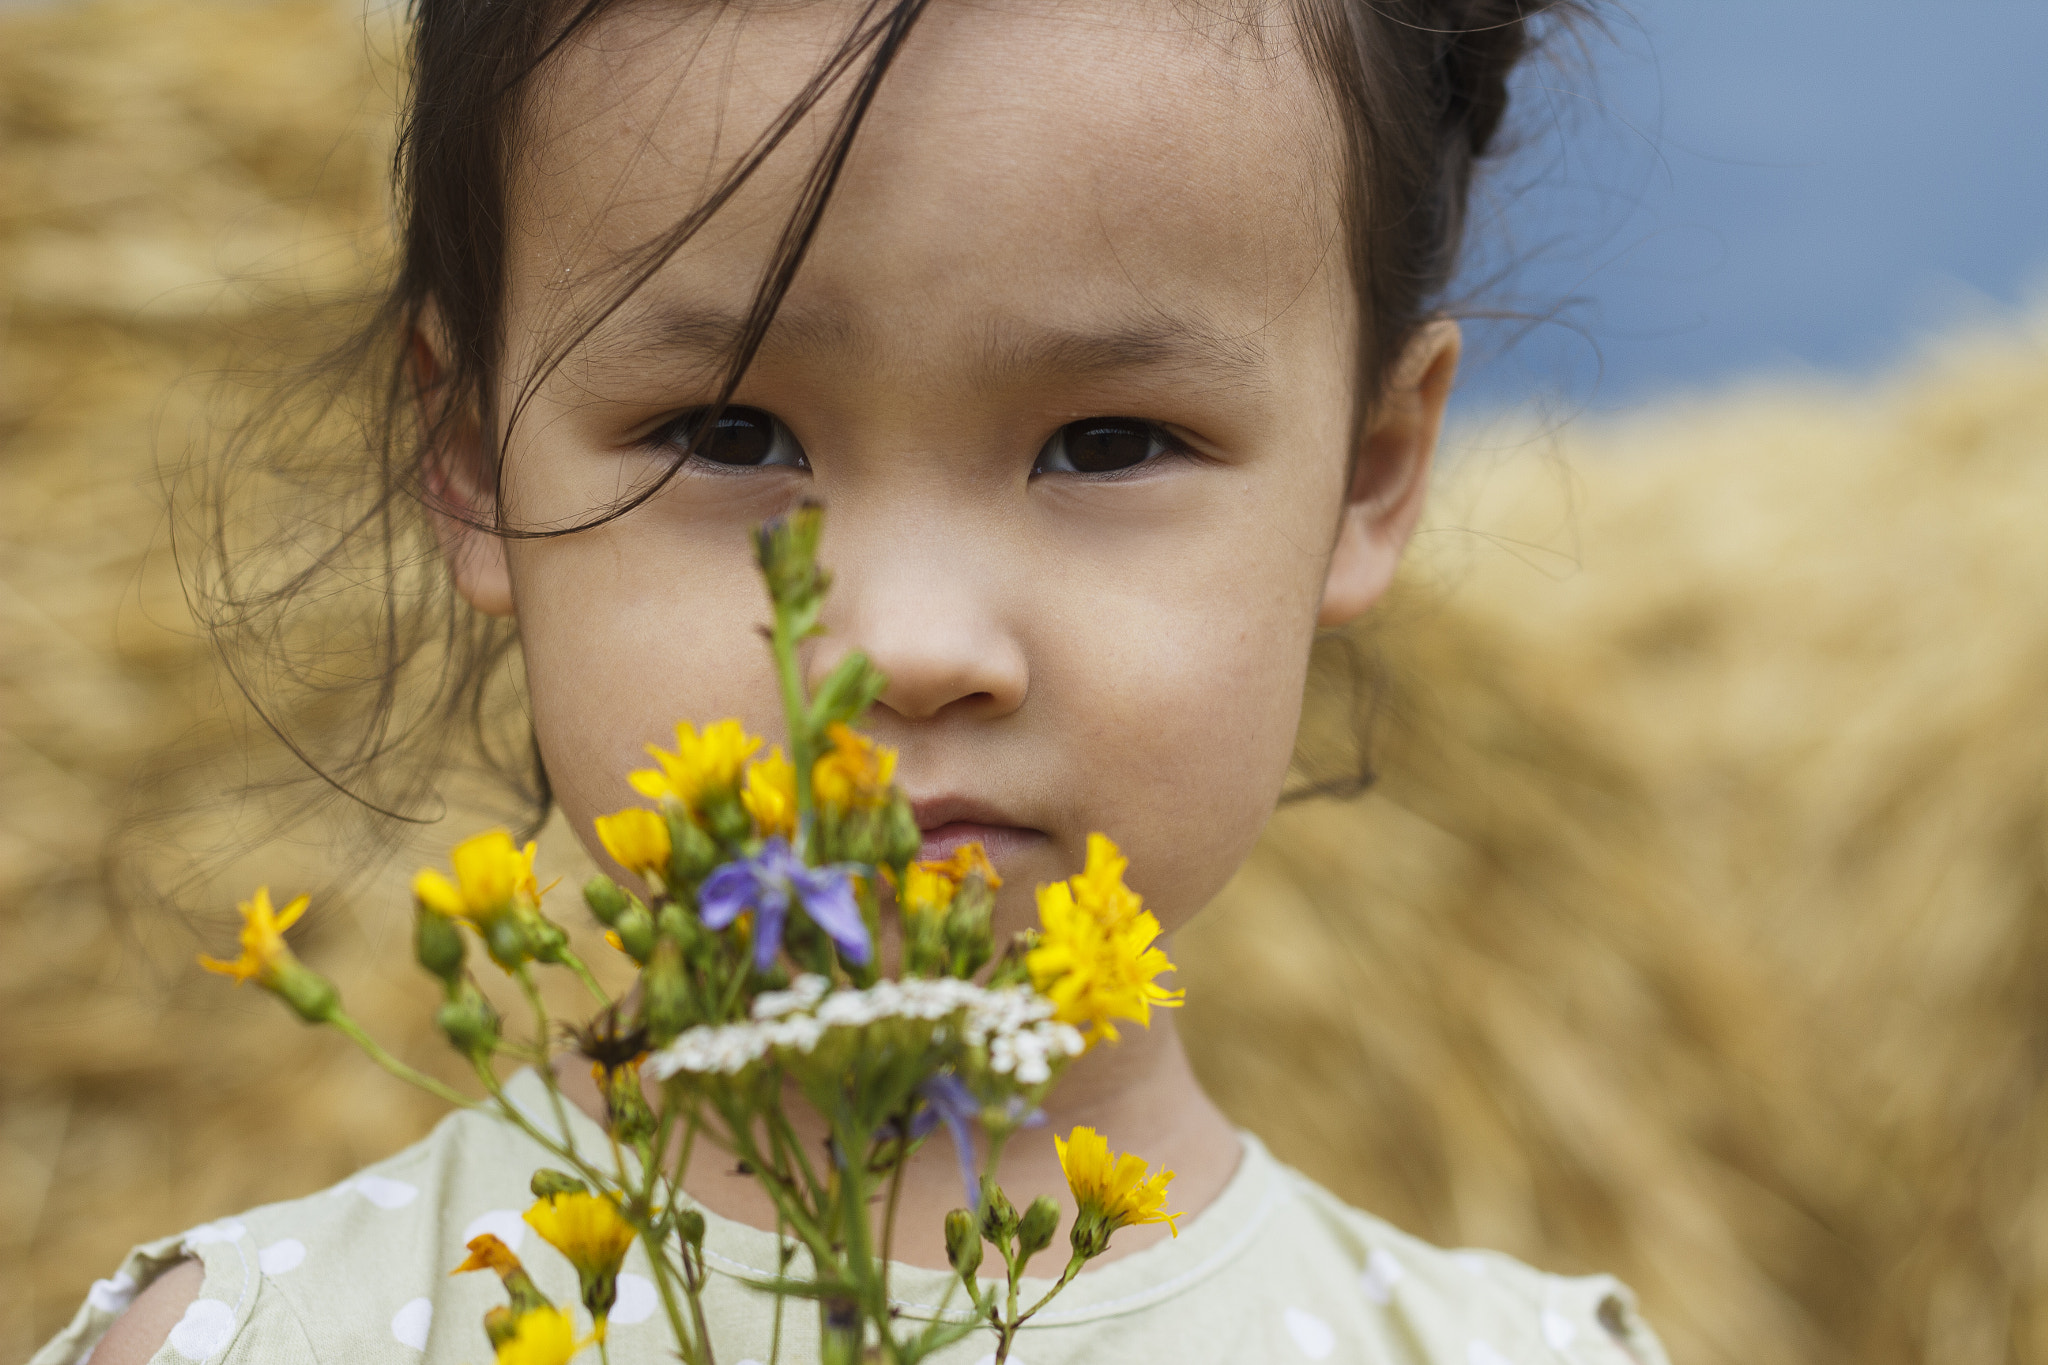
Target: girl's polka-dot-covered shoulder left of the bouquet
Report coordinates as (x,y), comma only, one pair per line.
(355,1272)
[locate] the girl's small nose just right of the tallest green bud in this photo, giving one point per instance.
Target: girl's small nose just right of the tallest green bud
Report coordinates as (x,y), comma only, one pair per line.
(941,642)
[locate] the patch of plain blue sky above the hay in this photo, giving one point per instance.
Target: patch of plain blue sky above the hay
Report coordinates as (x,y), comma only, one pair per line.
(1766,185)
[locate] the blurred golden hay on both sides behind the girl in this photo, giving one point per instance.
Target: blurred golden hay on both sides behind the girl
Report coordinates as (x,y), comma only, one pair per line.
(1695,930)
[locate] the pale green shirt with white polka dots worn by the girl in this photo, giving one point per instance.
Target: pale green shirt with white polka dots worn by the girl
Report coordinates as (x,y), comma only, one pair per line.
(1275,1270)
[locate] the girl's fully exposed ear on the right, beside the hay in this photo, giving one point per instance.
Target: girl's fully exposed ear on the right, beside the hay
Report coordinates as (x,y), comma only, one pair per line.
(1392,476)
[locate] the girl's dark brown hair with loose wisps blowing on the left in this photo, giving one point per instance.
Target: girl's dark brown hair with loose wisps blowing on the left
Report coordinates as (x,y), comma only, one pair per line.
(411,687)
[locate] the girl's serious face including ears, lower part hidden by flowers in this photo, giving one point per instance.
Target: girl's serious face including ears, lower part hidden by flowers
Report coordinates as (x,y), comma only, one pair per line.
(1070,367)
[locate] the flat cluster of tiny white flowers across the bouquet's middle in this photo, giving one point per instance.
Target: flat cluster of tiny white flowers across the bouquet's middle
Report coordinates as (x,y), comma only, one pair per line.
(1015,1024)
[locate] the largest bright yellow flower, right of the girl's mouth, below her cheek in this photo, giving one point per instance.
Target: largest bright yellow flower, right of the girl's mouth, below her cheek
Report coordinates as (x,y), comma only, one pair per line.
(1097,955)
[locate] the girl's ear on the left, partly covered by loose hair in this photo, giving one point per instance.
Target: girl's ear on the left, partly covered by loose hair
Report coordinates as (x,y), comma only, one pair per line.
(456,478)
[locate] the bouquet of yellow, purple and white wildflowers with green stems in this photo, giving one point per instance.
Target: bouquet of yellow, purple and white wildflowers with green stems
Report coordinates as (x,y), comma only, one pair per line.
(792,951)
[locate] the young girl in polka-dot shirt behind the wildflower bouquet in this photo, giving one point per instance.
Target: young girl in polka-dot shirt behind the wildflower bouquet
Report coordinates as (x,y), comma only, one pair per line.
(1103,331)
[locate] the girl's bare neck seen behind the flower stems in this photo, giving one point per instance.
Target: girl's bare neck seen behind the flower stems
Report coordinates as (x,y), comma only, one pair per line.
(1140,1094)
